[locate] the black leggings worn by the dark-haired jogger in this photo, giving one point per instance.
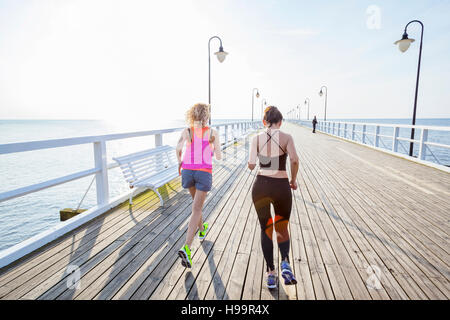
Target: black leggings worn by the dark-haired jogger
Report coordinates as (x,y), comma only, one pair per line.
(277,191)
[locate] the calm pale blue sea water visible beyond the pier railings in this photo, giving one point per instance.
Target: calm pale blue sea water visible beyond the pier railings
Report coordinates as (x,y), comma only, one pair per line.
(27,216)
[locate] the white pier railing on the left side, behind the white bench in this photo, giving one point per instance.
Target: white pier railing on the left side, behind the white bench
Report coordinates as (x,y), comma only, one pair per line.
(100,170)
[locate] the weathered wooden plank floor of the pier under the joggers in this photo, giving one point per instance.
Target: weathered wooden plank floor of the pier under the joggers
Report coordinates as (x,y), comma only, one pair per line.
(364,225)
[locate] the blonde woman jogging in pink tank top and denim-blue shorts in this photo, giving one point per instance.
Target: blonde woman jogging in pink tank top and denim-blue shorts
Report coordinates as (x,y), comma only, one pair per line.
(196,174)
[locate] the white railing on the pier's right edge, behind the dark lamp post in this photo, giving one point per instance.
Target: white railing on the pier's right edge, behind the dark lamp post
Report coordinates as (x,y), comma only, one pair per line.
(387,137)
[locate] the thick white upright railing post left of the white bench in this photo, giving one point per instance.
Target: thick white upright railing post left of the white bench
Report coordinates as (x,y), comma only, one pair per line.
(101,178)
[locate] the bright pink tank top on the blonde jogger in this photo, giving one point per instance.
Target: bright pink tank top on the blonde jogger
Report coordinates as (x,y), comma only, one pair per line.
(198,154)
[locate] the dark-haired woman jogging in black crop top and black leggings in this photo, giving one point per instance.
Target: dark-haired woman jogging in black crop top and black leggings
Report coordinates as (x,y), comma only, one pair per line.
(272,186)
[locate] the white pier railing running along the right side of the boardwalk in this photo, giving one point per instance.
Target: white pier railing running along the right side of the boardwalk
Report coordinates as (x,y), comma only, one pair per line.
(347,130)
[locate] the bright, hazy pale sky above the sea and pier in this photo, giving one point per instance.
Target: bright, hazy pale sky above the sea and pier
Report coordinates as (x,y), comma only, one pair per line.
(148,60)
